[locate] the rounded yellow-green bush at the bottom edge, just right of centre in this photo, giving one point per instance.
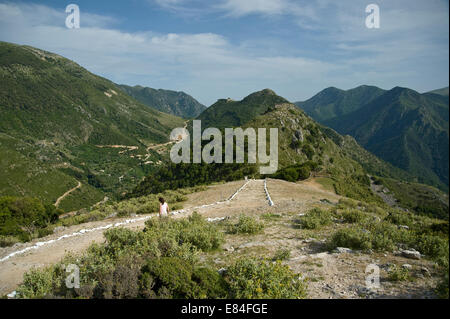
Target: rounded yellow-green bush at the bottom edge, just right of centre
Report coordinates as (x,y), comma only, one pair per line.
(251,279)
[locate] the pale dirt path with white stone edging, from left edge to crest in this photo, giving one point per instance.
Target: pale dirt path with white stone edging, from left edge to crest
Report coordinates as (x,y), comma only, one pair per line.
(15,261)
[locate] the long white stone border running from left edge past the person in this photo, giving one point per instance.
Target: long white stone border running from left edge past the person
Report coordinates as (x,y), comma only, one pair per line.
(128,221)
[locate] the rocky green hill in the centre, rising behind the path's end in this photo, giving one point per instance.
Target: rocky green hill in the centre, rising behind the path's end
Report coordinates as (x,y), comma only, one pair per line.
(306,149)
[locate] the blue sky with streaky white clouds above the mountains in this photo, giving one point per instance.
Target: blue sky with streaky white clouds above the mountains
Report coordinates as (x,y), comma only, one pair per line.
(214,49)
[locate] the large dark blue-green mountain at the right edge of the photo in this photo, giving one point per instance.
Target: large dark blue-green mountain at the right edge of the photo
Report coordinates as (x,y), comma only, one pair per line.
(405,128)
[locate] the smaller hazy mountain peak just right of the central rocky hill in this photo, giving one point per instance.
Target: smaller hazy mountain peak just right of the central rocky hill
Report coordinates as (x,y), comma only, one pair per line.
(333,102)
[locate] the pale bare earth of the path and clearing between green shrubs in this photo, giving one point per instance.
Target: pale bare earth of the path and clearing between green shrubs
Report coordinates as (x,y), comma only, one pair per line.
(330,275)
